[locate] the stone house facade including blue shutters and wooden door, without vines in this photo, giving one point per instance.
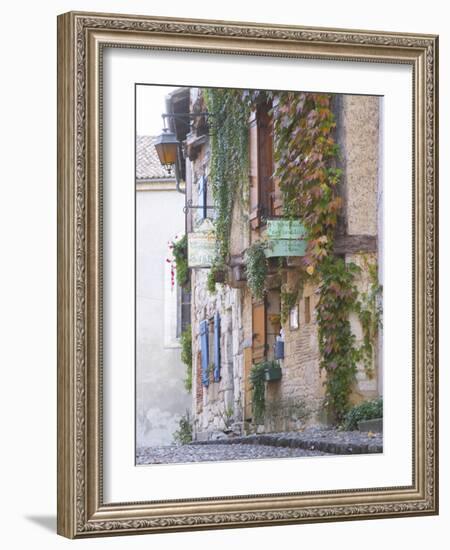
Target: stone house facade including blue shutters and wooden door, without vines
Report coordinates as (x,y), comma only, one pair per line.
(230,330)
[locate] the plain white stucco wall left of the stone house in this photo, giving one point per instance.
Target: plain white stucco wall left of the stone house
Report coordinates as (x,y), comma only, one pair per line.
(160,394)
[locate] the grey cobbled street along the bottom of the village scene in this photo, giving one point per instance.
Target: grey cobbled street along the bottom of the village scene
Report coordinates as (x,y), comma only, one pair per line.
(215,452)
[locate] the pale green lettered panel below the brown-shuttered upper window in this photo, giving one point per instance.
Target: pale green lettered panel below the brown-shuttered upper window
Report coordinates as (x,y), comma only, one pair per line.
(285,238)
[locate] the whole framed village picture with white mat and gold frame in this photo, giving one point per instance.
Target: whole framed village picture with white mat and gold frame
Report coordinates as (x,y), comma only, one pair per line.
(247,284)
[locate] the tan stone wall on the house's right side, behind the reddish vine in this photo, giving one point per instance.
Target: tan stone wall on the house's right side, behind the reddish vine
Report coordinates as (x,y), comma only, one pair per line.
(296,400)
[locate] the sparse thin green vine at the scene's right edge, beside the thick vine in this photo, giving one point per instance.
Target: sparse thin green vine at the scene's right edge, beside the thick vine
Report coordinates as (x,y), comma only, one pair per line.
(370,311)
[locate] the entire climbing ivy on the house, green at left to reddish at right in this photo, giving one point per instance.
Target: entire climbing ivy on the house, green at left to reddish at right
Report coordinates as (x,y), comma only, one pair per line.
(305,155)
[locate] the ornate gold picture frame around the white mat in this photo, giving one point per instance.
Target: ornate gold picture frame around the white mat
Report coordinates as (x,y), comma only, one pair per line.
(82,509)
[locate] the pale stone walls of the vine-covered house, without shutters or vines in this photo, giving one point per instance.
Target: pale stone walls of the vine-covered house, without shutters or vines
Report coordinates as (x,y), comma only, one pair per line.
(296,400)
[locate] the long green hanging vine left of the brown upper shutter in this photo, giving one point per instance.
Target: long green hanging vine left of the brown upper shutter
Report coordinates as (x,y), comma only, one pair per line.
(229,157)
